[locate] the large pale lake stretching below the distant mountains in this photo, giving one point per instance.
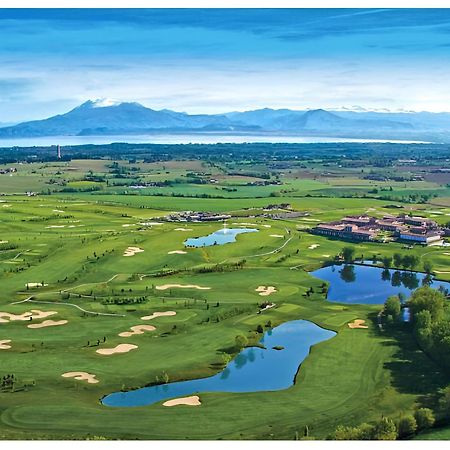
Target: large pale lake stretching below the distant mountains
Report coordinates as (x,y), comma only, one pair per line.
(180,139)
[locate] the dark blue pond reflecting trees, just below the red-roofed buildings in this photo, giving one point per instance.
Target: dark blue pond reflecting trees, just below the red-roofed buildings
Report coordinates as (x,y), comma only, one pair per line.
(351,283)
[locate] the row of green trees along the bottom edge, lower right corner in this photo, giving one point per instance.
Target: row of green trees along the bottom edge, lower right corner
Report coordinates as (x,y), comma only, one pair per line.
(387,429)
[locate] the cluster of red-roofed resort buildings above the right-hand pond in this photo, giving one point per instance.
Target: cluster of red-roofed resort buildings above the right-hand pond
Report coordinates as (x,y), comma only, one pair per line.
(404,228)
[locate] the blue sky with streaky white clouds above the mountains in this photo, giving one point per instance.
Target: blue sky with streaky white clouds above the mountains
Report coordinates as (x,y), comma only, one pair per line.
(221,60)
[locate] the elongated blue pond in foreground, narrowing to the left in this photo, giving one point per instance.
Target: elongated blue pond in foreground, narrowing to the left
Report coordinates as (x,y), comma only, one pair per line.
(253,369)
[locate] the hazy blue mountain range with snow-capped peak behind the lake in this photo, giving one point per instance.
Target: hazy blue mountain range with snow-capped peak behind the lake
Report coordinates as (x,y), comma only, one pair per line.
(108,118)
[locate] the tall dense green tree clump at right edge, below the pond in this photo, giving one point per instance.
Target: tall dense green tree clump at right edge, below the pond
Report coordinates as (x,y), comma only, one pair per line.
(431,324)
